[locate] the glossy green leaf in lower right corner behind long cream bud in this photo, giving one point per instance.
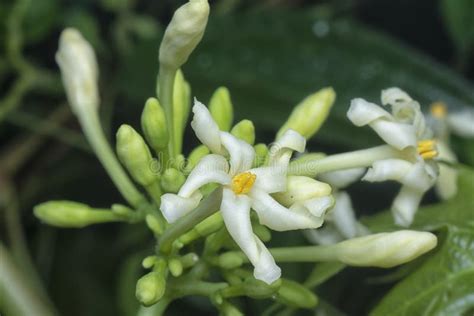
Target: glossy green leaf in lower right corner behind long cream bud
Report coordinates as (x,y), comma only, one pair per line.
(444,283)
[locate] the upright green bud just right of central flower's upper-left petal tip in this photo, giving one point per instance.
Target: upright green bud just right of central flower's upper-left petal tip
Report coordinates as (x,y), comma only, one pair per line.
(221,108)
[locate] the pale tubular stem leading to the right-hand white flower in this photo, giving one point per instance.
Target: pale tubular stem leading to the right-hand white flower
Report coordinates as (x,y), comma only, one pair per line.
(355,159)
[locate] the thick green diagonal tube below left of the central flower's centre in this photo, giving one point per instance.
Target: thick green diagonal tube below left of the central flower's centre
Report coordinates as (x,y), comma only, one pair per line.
(206,208)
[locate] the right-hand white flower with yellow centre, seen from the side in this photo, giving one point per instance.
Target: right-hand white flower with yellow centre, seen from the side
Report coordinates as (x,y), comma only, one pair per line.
(404,129)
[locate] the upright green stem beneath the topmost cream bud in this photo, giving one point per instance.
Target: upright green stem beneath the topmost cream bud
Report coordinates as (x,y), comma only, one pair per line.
(165,95)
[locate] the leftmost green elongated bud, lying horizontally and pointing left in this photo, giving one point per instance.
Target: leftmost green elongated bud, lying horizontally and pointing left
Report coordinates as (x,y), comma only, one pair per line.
(70,214)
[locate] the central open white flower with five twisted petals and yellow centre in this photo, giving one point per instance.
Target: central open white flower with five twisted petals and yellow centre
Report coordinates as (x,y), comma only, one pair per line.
(244,188)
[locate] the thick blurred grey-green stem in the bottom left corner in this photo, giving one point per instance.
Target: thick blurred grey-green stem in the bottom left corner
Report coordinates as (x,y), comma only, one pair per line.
(18,298)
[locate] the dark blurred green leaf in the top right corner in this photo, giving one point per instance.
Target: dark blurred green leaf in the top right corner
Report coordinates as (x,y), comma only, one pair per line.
(458,16)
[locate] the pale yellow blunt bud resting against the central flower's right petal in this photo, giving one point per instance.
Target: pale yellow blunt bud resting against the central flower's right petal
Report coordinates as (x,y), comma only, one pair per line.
(300,188)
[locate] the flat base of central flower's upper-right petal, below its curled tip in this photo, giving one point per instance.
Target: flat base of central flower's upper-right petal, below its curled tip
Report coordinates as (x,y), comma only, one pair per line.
(270,179)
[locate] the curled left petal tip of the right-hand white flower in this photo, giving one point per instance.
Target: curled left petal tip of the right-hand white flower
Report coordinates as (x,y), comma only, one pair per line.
(362,113)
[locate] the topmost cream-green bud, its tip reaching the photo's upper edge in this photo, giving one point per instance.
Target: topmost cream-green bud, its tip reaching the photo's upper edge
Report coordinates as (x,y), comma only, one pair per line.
(184,33)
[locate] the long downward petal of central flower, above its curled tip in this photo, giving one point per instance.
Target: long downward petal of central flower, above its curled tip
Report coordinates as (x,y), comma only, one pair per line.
(235,211)
